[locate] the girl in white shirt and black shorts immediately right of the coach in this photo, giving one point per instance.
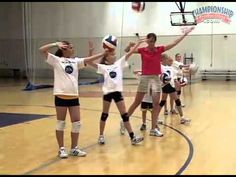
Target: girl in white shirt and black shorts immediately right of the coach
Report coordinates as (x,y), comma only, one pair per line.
(168,86)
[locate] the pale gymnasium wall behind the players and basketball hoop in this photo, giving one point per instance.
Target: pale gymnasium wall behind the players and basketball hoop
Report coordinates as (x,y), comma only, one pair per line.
(80,21)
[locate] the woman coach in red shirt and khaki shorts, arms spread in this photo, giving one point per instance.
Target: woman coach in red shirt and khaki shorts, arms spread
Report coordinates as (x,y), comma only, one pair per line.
(150,80)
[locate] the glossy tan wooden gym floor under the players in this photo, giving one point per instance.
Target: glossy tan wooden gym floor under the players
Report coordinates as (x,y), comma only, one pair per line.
(207,146)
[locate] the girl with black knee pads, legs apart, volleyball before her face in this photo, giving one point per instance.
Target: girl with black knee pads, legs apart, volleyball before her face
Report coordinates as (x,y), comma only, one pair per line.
(112,71)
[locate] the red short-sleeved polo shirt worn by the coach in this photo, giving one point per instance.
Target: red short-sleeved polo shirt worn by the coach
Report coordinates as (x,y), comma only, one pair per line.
(151,60)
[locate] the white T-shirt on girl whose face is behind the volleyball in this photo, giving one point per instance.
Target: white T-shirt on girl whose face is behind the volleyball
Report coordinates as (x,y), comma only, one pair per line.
(113,75)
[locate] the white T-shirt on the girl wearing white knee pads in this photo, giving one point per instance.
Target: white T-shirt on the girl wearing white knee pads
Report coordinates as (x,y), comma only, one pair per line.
(66,72)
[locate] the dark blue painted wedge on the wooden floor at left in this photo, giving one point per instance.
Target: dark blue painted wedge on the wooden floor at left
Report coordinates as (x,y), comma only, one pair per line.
(7,119)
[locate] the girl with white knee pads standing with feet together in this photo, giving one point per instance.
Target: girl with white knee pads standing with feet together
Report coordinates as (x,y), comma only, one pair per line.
(65,91)
